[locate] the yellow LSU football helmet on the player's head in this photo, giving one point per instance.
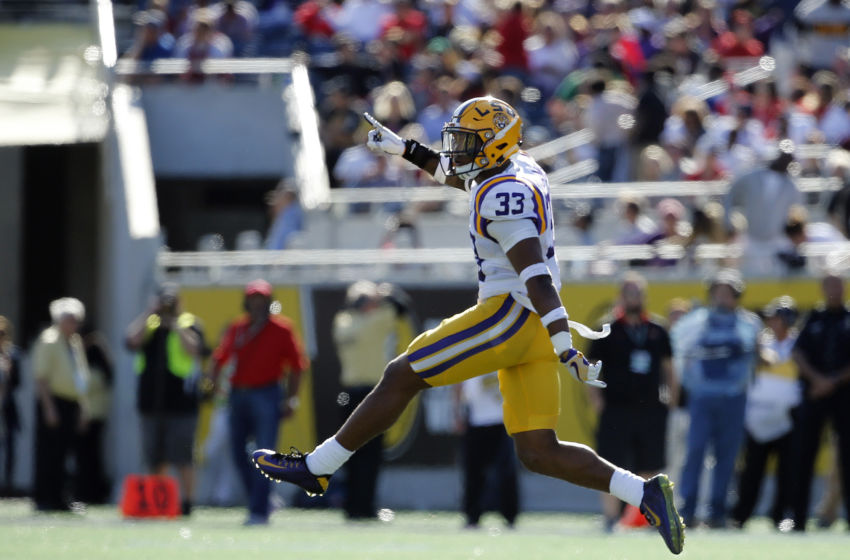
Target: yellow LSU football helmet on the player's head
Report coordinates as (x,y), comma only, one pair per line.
(483,133)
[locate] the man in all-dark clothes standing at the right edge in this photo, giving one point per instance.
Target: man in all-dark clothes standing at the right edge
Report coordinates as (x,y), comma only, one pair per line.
(822,353)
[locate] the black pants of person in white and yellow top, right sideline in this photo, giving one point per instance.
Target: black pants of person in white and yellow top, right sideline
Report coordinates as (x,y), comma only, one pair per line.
(756,455)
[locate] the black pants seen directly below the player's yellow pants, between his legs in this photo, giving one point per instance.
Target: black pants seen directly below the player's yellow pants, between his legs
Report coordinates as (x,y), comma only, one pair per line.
(488,448)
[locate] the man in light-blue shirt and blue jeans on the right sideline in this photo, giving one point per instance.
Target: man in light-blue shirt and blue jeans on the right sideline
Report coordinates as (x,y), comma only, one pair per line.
(715,350)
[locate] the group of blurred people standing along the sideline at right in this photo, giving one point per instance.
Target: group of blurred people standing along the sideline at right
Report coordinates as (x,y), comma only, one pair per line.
(716,380)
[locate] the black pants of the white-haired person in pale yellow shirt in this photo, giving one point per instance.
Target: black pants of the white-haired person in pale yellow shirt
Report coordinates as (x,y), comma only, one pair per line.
(53,446)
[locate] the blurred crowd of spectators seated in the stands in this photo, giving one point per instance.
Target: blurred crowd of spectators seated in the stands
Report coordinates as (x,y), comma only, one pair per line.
(671,90)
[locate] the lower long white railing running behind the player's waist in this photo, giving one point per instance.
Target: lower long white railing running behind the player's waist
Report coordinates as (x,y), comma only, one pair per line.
(442,265)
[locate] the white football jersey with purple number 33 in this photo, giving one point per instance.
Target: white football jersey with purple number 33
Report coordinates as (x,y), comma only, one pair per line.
(521,192)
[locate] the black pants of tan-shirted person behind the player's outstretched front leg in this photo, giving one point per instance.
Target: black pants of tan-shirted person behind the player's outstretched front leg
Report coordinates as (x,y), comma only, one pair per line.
(363,468)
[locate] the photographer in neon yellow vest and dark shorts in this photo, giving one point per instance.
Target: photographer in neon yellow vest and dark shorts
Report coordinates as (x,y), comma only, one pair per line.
(169,344)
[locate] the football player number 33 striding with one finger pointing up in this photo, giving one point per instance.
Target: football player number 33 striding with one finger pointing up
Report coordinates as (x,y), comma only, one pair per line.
(519,325)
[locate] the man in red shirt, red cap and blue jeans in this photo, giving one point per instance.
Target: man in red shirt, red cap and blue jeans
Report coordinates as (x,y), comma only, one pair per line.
(263,350)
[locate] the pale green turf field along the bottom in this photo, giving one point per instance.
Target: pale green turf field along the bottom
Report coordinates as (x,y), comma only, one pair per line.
(306,535)
